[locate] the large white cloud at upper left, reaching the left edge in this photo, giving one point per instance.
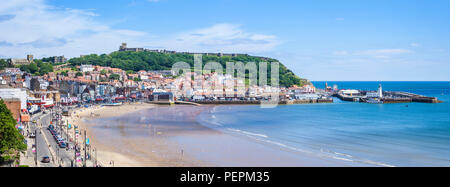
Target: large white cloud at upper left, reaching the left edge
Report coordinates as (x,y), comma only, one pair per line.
(36,28)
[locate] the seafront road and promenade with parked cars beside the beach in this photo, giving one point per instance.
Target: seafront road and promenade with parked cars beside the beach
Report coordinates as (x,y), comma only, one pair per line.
(46,145)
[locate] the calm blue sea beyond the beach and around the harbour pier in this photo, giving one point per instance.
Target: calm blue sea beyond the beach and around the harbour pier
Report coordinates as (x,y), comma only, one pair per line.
(412,134)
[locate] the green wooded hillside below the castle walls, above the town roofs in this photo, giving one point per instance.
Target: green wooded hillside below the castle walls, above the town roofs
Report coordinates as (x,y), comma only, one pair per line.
(137,61)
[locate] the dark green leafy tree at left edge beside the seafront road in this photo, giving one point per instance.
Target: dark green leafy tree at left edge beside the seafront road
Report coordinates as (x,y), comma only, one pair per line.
(11,141)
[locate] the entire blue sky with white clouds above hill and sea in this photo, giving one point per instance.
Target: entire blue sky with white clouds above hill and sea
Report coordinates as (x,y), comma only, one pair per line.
(321,40)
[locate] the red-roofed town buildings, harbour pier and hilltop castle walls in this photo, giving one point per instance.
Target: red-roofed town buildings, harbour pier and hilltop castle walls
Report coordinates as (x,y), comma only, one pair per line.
(26,94)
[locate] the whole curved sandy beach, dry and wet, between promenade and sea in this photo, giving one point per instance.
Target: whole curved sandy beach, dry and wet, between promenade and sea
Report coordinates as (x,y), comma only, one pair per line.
(168,136)
